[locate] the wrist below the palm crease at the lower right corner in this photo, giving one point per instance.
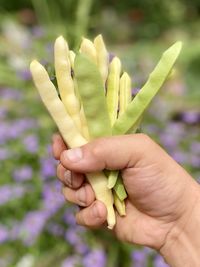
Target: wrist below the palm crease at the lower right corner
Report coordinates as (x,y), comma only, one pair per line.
(182,246)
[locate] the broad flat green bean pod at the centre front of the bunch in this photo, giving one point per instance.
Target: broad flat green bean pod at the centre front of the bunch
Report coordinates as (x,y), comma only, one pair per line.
(90,86)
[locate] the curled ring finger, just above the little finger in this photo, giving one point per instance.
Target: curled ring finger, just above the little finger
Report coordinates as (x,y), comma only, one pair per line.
(83,196)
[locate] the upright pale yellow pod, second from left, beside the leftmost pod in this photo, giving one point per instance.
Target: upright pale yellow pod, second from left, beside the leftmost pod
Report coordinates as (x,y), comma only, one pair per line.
(65,81)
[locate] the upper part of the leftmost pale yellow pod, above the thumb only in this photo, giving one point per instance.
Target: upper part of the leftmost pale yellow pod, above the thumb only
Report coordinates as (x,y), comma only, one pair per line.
(55,106)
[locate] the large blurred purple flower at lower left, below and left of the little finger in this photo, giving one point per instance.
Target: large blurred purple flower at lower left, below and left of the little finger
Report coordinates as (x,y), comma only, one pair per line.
(32,226)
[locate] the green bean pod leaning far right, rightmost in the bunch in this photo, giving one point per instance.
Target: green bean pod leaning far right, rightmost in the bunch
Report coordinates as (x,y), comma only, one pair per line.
(141,101)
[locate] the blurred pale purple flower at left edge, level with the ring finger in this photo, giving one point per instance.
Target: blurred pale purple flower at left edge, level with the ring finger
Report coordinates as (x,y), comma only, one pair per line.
(10,192)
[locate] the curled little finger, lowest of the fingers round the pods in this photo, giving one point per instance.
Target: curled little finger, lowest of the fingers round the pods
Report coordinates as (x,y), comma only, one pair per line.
(93,216)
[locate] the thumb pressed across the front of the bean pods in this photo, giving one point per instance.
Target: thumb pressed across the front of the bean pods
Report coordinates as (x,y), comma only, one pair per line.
(112,153)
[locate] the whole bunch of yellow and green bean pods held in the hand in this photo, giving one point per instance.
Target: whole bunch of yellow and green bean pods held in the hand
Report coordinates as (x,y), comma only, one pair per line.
(93,100)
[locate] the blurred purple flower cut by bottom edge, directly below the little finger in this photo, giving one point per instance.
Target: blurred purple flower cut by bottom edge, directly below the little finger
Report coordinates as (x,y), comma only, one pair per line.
(96,257)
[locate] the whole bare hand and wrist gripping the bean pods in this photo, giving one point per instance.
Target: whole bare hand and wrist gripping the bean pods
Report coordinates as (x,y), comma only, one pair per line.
(161,194)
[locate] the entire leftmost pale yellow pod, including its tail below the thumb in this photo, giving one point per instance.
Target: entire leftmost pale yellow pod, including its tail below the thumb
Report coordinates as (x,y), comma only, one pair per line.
(70,134)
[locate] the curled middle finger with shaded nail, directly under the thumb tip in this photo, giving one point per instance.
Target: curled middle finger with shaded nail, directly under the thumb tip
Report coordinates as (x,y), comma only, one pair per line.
(72,179)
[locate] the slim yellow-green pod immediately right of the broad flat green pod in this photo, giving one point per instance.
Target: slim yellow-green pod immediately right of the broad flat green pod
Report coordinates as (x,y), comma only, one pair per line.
(112,96)
